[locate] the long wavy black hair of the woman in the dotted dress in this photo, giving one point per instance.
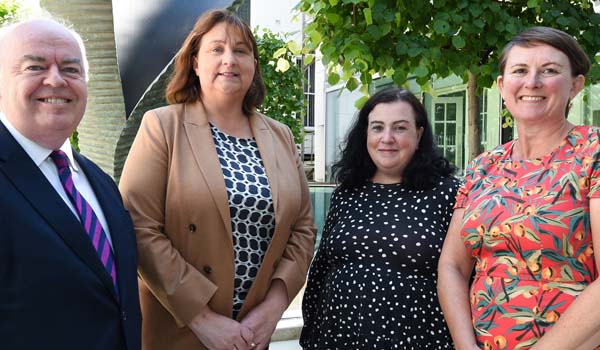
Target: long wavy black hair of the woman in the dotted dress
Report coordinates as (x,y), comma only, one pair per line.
(356,167)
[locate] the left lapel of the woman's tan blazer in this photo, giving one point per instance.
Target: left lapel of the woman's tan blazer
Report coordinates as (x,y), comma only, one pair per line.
(203,149)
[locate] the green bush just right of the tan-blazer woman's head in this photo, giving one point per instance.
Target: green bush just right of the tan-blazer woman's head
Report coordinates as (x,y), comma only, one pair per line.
(283,78)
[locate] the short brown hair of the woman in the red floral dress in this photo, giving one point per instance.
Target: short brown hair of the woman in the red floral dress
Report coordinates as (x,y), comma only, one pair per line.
(578,60)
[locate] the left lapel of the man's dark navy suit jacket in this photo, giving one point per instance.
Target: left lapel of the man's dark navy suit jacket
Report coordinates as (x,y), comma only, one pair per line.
(27,178)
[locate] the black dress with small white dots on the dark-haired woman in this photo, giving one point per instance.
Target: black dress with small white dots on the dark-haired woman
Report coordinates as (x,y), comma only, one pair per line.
(372,284)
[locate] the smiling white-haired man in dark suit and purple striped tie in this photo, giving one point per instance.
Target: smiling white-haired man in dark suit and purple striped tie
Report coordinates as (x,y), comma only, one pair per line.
(67,248)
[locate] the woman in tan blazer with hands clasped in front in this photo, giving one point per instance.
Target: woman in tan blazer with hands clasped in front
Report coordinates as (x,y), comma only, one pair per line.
(219,201)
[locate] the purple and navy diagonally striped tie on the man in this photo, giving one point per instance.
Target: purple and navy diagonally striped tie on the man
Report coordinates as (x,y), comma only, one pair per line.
(88,218)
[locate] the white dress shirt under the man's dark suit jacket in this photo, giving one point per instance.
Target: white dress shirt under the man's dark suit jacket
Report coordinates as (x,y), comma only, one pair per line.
(41,157)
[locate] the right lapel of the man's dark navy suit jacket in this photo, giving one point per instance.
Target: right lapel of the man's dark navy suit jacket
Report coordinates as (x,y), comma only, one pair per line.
(113,213)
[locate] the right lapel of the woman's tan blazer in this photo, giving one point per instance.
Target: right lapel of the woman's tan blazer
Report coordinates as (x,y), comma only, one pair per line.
(268,153)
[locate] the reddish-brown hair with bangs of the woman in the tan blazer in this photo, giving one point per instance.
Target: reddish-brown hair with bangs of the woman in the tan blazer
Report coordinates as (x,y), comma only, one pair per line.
(184,86)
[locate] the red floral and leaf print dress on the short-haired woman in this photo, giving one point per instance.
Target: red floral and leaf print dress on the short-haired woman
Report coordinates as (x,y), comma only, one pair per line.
(527,225)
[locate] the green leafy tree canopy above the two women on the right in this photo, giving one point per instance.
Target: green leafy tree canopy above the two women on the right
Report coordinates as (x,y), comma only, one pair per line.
(359,38)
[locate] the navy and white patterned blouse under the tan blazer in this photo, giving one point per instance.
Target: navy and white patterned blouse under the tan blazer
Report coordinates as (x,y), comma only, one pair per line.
(250,207)
